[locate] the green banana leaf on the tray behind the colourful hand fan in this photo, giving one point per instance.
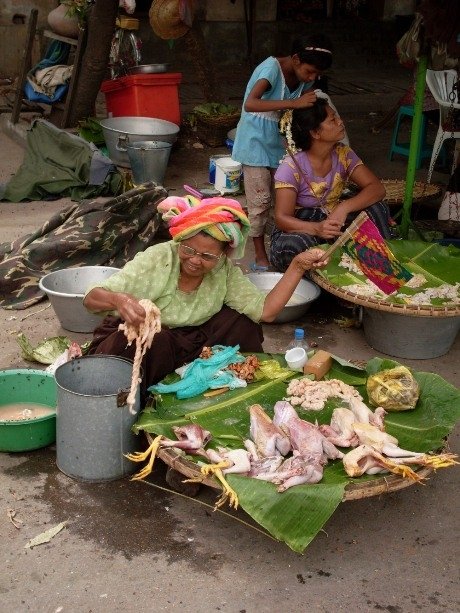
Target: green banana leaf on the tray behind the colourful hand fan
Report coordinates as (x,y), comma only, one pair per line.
(439,264)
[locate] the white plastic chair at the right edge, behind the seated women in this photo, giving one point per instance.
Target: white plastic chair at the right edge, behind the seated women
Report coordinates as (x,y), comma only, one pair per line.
(441,84)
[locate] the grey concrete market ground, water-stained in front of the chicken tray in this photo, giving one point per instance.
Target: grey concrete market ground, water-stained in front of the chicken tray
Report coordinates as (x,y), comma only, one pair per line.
(138,546)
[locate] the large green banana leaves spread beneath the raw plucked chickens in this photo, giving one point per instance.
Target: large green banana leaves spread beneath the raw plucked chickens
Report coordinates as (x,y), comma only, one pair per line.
(297,515)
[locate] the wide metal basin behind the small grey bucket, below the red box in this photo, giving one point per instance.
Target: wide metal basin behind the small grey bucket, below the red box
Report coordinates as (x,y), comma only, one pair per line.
(119,132)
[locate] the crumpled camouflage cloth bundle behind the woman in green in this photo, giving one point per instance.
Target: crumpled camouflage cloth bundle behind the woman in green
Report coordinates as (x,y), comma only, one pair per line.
(89,233)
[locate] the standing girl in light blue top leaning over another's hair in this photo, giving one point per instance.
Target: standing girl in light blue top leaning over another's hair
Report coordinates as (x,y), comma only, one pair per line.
(277,84)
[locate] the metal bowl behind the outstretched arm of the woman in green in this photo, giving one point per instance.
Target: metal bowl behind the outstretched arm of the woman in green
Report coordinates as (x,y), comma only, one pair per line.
(304,295)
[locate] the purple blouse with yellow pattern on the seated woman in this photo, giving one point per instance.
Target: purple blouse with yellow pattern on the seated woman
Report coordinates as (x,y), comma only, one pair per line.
(319,191)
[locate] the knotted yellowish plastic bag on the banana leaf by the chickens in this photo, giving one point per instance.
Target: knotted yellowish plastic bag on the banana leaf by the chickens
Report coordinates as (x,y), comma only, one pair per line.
(394,389)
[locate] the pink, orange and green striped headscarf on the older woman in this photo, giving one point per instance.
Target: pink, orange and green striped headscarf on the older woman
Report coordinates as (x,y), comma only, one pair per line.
(221,218)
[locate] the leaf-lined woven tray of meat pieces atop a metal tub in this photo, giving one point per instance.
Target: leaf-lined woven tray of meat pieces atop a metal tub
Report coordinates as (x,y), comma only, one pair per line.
(418,321)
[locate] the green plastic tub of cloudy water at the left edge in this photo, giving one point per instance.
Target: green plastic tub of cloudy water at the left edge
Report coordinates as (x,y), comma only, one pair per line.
(24,385)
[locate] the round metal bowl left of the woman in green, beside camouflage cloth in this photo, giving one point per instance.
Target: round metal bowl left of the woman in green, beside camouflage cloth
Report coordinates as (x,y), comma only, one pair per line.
(66,289)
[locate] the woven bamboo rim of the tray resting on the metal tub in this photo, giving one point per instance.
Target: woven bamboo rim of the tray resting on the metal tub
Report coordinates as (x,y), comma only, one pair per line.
(411,310)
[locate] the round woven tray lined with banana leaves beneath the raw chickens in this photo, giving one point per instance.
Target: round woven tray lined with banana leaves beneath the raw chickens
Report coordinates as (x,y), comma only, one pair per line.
(297,514)
